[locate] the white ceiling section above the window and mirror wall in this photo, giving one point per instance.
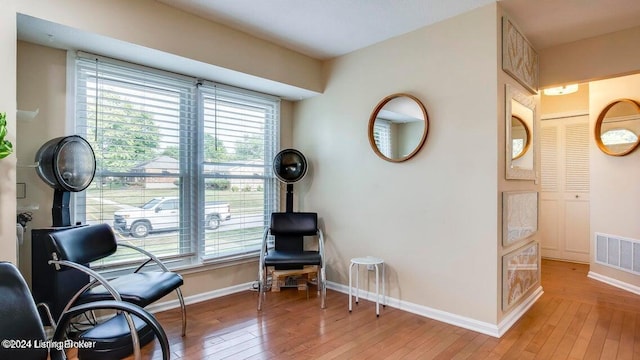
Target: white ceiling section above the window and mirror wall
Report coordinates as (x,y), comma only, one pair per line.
(327,28)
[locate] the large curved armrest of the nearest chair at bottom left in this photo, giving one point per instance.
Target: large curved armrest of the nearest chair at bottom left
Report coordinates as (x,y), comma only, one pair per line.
(128,308)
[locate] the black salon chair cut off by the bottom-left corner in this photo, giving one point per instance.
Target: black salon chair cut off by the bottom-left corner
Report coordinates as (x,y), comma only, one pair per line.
(22,333)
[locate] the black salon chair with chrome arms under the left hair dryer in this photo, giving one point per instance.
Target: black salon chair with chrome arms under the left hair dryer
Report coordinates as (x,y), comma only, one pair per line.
(72,248)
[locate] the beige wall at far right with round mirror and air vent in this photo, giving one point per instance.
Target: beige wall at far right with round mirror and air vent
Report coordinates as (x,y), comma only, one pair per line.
(615,189)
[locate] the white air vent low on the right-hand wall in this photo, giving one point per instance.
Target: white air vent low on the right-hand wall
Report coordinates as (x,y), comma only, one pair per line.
(618,252)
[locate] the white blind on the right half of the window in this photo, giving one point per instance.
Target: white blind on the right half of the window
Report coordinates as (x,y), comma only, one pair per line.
(239,142)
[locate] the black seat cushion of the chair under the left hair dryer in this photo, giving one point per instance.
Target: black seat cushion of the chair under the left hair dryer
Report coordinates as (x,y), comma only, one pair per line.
(141,288)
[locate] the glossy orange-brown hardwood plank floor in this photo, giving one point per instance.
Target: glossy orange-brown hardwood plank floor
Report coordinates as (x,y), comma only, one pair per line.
(576,318)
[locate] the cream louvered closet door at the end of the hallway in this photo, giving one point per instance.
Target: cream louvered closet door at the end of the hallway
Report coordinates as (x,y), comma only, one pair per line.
(564,197)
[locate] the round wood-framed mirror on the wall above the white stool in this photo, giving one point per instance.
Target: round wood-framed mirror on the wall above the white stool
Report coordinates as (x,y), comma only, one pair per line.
(398,127)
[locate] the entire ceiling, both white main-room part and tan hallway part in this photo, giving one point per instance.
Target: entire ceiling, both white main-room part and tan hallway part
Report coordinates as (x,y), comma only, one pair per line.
(329,28)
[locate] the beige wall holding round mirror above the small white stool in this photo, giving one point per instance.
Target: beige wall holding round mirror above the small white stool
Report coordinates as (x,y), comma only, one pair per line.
(432,218)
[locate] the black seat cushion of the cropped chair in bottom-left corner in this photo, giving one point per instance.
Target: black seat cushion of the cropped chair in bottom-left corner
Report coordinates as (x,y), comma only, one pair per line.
(112,338)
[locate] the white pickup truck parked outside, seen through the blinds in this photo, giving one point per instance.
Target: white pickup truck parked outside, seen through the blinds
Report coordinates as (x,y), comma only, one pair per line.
(163,214)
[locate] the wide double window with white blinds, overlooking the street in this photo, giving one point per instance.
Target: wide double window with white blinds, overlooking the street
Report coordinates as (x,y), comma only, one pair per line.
(183,165)
